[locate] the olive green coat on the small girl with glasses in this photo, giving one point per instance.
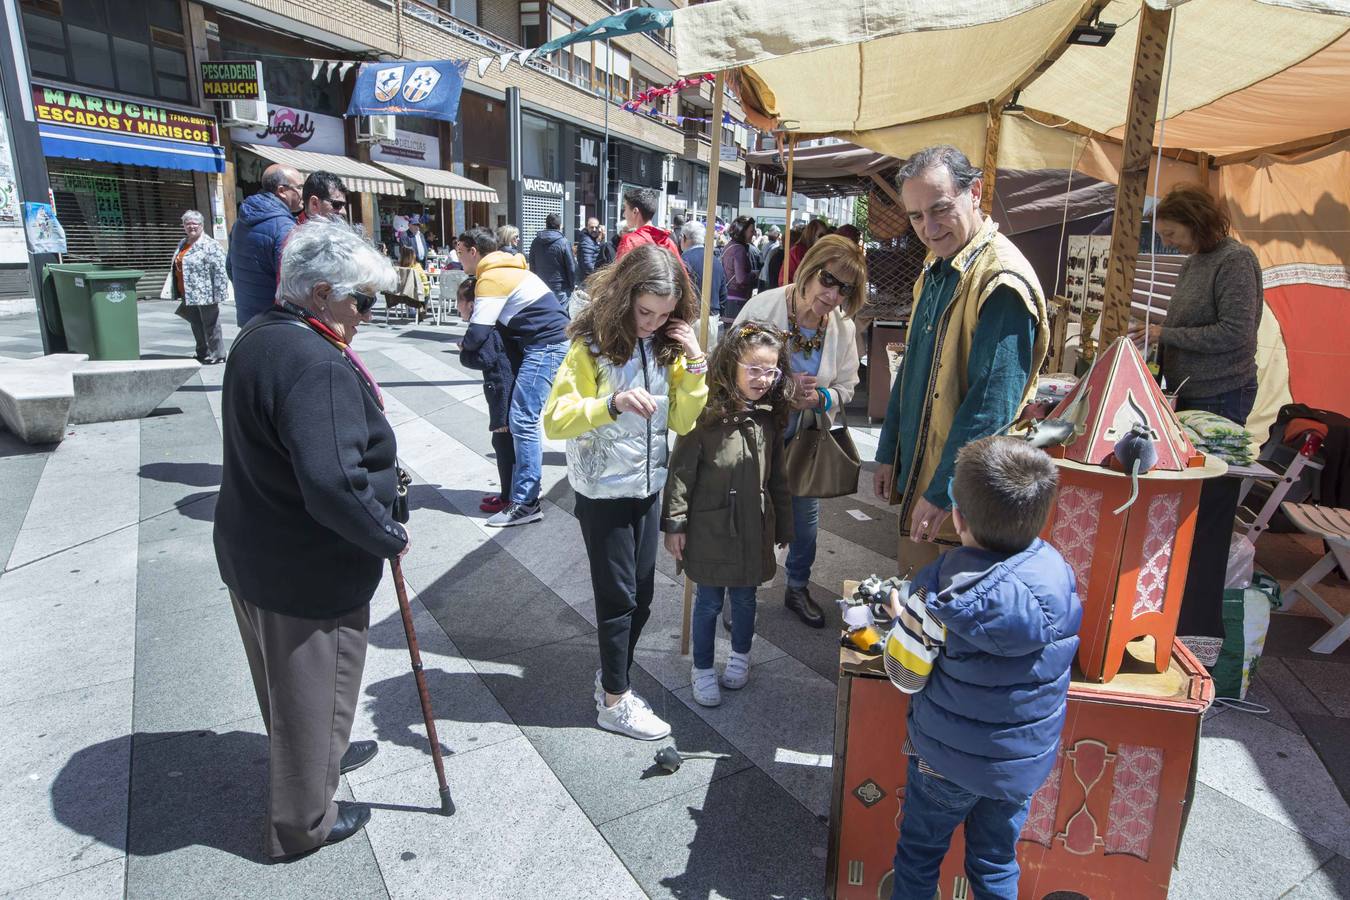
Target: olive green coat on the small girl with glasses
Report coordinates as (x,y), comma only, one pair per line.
(727,492)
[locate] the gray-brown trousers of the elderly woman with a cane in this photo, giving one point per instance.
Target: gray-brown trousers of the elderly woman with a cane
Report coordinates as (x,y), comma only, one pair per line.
(307,677)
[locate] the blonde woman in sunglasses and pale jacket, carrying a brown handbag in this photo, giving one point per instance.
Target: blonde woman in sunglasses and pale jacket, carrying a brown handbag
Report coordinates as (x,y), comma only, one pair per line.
(817,314)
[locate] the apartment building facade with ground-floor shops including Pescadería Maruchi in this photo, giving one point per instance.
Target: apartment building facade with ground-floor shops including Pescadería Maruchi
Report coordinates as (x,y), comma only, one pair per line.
(121,204)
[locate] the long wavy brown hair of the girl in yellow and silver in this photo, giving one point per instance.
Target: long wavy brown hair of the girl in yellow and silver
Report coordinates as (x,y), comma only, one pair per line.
(608,322)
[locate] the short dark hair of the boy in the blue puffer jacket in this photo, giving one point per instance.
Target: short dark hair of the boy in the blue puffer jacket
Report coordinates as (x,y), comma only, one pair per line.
(1004,488)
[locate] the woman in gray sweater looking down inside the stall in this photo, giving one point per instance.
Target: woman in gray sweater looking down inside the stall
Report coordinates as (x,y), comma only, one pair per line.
(1209,343)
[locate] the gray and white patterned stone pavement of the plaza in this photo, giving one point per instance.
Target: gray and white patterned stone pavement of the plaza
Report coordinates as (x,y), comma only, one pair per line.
(138,758)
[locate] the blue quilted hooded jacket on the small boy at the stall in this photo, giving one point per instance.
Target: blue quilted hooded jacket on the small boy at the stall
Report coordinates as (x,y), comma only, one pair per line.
(992,714)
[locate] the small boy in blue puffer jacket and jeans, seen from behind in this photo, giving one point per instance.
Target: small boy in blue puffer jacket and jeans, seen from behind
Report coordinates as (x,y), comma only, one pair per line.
(985,643)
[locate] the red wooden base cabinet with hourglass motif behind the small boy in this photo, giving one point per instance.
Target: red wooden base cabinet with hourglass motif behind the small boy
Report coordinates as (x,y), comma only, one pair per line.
(1106,824)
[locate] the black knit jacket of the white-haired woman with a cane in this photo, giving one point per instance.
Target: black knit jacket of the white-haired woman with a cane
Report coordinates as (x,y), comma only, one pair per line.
(303,520)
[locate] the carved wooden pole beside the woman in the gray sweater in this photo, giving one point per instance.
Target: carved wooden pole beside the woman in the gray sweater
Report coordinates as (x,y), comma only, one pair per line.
(1137,152)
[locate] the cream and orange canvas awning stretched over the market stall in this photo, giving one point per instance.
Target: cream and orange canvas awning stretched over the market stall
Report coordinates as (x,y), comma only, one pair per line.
(900,75)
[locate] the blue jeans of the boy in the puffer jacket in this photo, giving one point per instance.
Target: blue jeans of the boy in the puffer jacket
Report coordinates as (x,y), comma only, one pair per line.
(934,808)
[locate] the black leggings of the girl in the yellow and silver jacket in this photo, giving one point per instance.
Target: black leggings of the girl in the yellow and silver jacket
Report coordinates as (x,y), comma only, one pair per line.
(622,538)
